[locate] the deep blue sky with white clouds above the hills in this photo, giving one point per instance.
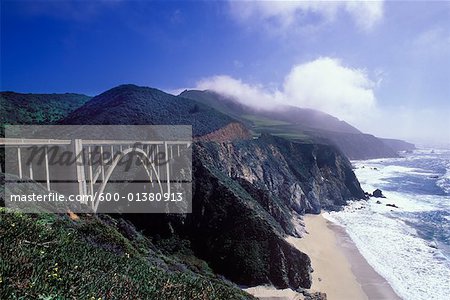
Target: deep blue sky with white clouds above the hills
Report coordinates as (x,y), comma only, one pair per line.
(382,66)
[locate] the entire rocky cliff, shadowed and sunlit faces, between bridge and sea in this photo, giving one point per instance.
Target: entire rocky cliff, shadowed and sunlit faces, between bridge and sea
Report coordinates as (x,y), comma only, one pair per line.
(248,194)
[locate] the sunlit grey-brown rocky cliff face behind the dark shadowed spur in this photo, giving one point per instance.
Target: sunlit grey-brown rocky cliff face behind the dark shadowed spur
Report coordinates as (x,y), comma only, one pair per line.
(305,177)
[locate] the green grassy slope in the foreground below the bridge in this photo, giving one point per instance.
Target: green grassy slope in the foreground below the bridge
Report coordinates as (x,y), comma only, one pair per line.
(49,256)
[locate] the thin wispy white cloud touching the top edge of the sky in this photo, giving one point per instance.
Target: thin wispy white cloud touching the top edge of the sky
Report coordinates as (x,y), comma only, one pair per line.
(279,16)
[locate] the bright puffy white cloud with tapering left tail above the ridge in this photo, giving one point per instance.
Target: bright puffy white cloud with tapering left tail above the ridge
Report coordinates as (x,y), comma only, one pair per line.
(323,84)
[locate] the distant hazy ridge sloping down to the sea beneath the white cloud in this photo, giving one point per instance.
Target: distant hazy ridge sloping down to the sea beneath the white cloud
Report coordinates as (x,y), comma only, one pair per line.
(303,125)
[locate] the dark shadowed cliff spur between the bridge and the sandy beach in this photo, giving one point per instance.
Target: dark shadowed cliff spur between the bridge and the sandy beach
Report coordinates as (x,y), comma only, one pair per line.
(238,237)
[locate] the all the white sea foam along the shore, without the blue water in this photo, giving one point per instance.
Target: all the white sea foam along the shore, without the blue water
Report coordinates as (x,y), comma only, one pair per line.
(414,267)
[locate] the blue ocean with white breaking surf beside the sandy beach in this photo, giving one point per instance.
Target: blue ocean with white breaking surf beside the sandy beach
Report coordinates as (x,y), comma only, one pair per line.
(410,245)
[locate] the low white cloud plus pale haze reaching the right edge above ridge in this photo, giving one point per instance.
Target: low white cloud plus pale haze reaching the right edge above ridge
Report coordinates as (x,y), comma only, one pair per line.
(348,93)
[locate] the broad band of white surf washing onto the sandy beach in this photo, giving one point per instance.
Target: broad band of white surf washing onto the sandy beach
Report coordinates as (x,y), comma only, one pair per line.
(414,269)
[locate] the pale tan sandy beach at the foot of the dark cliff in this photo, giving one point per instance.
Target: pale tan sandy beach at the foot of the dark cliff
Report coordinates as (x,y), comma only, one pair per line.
(340,271)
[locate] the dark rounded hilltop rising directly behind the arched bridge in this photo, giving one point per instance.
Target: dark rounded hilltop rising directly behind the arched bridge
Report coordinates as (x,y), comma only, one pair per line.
(135,105)
